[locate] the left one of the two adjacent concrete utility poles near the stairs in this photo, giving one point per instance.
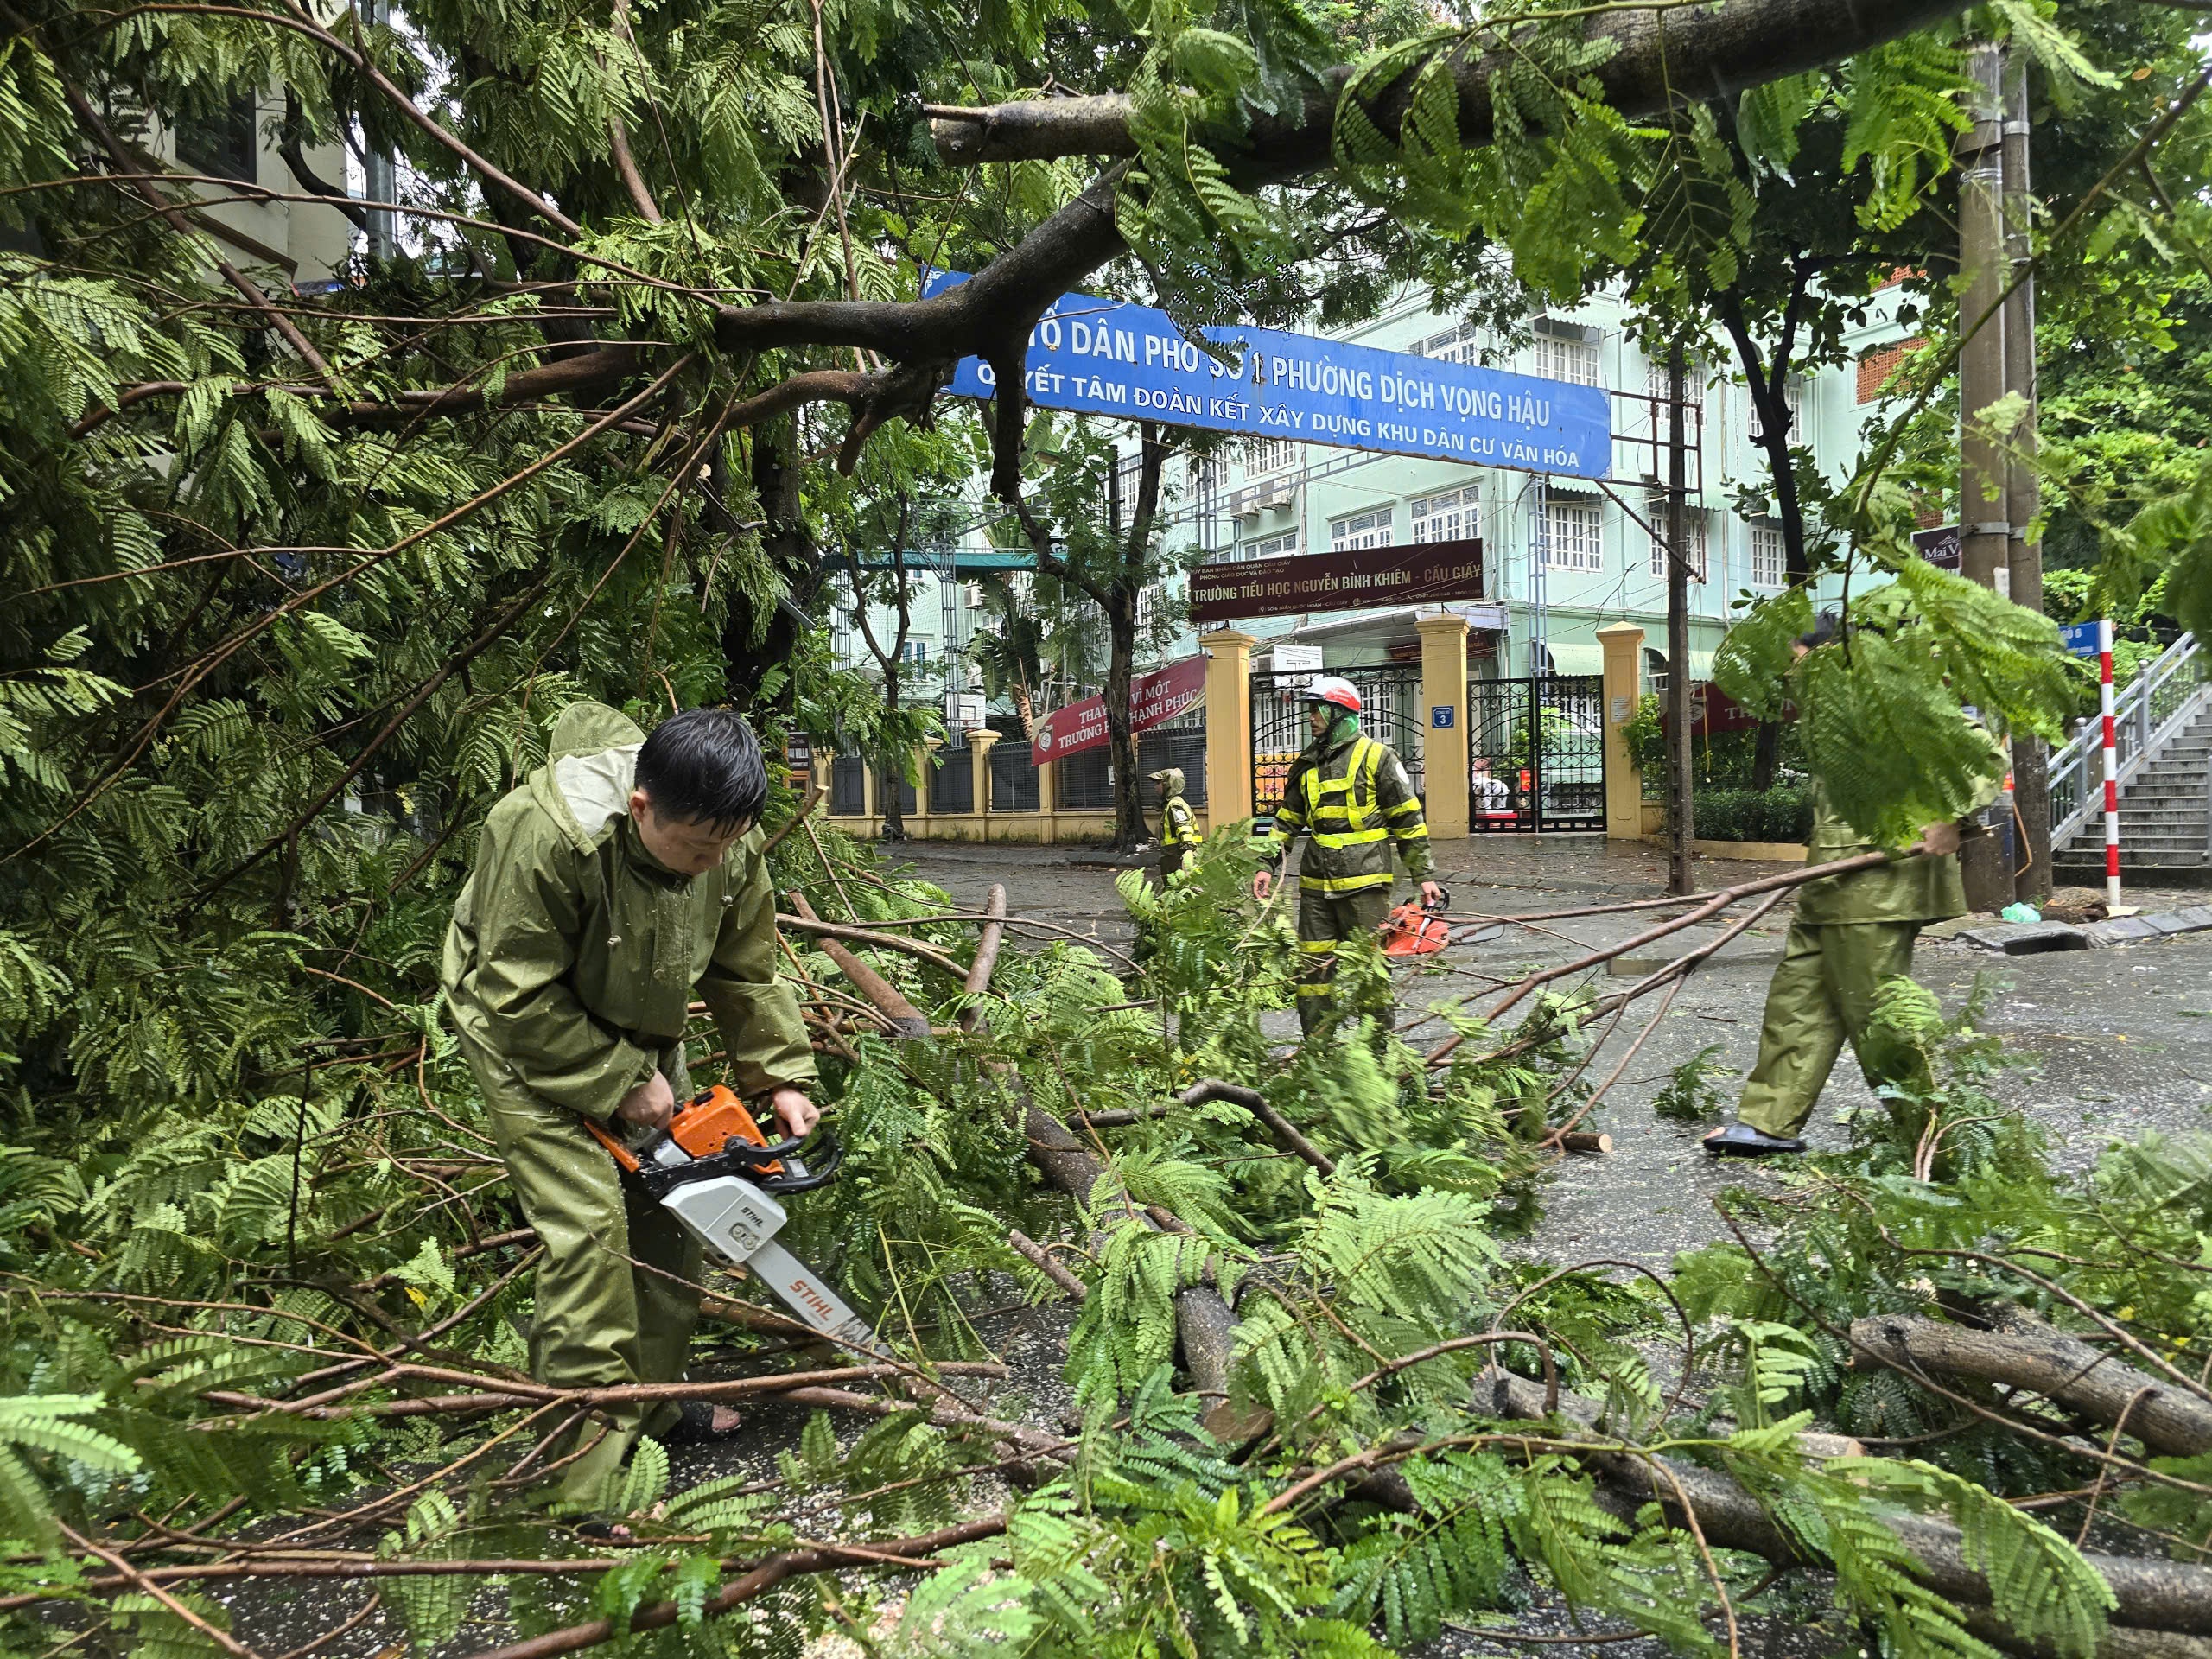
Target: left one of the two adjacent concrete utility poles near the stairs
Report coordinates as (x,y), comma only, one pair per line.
(1983,505)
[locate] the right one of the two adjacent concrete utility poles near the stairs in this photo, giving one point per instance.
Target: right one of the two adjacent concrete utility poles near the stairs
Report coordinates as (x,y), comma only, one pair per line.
(2023,488)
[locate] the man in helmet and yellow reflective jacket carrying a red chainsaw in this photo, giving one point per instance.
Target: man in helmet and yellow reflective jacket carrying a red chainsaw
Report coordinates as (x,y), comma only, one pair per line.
(1355,800)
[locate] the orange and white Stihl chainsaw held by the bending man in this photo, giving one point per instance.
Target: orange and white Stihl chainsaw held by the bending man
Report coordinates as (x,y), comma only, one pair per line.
(720,1176)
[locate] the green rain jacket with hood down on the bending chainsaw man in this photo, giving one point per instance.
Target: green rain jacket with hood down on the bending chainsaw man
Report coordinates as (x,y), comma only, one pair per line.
(574,954)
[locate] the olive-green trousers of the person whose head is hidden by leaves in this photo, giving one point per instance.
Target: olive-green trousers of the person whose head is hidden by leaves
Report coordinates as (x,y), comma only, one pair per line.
(1822,999)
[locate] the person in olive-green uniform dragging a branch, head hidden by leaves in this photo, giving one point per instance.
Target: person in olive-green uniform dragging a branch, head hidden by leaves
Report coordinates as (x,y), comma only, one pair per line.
(1850,935)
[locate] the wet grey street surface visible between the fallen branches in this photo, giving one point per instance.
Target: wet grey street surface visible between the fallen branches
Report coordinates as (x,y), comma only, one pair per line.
(2118,1041)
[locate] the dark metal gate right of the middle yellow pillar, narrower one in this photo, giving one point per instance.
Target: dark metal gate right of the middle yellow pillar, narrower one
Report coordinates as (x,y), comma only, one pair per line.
(1536,753)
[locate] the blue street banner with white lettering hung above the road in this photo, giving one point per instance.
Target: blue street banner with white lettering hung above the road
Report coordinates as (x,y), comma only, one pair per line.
(1107,357)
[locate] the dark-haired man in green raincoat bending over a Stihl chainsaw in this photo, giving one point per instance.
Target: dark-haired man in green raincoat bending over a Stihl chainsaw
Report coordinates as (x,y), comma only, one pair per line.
(625,877)
